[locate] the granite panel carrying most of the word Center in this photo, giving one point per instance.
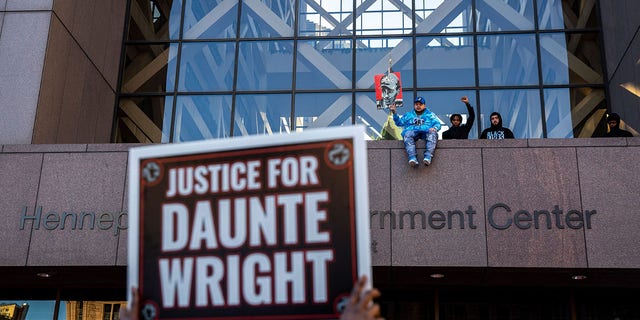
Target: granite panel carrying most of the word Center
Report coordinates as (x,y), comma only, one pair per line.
(525,186)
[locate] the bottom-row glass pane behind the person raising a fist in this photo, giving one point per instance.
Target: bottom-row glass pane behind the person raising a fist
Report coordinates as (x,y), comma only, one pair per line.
(446,103)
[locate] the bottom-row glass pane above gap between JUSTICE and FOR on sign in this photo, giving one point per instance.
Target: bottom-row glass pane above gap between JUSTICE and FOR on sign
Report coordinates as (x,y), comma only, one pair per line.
(262,114)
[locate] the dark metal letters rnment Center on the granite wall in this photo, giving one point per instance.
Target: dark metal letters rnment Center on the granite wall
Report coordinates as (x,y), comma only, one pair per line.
(500,216)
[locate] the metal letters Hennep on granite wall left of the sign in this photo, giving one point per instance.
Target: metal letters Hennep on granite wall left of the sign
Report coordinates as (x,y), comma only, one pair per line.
(52,220)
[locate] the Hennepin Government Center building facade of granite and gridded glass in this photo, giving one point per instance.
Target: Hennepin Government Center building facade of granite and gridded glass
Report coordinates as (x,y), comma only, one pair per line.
(541,227)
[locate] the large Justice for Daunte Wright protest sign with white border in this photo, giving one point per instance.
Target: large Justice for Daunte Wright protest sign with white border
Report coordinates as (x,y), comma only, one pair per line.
(260,227)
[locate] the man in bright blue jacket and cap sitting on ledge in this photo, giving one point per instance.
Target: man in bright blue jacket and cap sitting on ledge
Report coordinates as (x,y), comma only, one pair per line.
(420,123)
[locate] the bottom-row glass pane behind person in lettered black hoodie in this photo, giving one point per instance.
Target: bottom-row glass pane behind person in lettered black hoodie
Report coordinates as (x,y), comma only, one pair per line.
(520,111)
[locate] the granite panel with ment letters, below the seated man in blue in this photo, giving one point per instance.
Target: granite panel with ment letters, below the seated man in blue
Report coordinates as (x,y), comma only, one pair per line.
(448,194)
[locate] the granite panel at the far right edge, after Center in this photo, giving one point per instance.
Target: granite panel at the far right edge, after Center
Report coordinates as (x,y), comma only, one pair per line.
(610,186)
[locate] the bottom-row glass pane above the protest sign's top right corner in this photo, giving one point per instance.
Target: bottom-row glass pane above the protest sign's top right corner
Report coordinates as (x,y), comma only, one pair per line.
(321,110)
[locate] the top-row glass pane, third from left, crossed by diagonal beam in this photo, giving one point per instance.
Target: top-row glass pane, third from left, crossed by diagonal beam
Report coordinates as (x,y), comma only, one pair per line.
(267,19)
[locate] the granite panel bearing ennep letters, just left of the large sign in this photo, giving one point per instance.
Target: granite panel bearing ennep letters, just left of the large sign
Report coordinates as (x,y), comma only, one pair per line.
(89,185)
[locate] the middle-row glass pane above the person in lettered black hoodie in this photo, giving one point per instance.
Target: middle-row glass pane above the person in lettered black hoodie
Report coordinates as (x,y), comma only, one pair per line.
(507,60)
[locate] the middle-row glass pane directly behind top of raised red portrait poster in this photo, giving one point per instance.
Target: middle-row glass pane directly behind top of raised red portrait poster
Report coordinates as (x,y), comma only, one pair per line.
(377,55)
